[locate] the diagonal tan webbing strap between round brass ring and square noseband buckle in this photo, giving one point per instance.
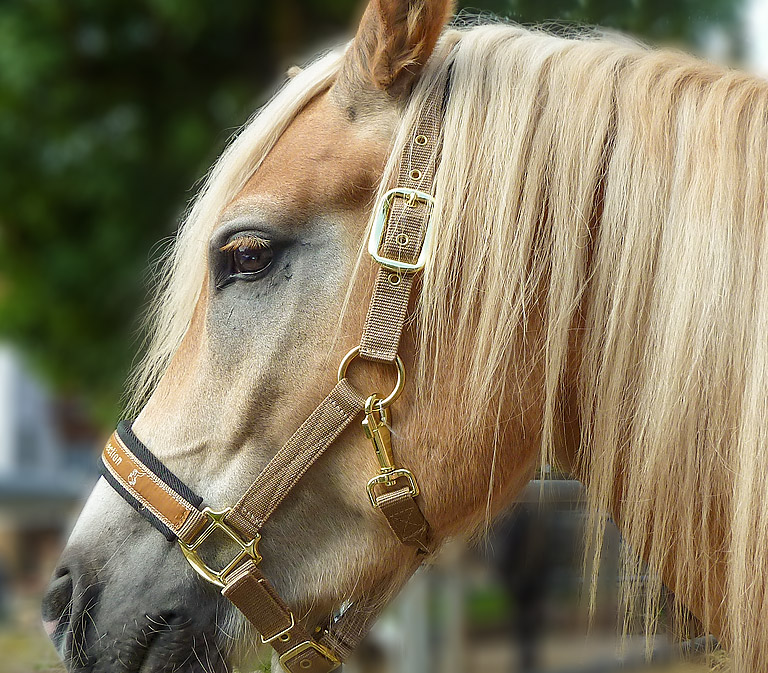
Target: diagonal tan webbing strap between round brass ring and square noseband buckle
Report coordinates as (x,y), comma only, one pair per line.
(298,454)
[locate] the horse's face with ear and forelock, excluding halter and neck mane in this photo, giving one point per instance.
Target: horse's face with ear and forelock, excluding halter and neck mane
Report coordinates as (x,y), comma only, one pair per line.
(266,293)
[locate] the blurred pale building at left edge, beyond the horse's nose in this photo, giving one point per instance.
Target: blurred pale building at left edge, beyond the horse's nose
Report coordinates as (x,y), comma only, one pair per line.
(47,467)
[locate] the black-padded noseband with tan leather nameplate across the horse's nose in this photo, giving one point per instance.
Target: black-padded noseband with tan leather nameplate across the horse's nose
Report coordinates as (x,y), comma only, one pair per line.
(150,487)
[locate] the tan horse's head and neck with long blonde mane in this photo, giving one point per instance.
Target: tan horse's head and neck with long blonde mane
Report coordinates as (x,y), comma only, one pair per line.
(593,293)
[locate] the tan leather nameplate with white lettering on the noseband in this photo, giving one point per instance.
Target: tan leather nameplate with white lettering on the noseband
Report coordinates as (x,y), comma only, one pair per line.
(140,482)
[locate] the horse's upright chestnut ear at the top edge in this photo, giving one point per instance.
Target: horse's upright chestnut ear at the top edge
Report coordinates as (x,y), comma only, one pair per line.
(393,43)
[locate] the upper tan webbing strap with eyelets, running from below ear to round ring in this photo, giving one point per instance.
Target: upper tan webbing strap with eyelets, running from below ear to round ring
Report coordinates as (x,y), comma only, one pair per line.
(404,234)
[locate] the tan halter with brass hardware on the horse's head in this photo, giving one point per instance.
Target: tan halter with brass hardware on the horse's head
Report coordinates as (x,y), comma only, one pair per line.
(399,242)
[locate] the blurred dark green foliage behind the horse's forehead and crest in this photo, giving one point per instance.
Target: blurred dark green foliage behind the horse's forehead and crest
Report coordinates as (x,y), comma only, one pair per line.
(111,110)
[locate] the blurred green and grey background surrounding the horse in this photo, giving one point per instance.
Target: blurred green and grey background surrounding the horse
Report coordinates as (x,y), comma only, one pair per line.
(110,112)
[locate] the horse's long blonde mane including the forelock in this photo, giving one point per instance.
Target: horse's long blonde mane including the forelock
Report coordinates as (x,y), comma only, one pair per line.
(615,196)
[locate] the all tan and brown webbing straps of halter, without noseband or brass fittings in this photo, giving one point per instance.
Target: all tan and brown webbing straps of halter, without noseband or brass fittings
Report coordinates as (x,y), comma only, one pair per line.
(247,588)
